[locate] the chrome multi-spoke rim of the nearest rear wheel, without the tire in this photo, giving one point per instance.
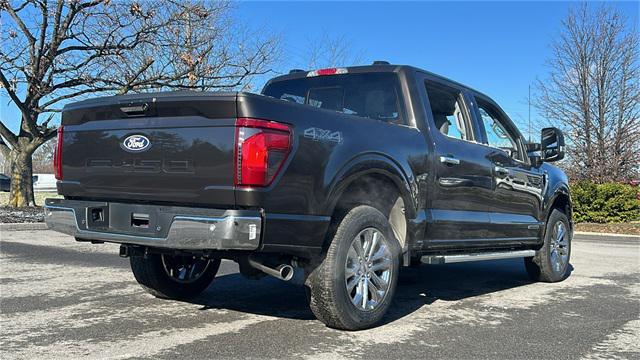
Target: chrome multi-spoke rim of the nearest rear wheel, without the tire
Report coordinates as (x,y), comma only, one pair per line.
(368,269)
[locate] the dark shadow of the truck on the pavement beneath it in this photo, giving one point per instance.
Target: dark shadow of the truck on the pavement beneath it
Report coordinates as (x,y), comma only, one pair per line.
(417,287)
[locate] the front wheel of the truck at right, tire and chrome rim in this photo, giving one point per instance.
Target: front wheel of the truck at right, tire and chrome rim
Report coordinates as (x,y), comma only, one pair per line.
(551,262)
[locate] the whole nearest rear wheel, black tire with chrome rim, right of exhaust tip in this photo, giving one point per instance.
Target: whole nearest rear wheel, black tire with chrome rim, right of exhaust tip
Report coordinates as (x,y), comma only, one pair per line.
(353,287)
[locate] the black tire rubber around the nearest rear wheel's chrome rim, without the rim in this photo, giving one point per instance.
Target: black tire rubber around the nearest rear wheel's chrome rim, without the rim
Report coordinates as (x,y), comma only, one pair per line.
(328,296)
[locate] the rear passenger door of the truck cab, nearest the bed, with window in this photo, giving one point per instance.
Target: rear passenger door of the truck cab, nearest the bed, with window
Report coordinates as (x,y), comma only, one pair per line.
(463,184)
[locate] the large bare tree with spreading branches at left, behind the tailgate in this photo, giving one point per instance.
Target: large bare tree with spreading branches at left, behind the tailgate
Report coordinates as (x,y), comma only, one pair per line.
(54,51)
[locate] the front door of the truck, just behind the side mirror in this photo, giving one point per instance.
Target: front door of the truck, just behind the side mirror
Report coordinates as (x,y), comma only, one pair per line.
(515,209)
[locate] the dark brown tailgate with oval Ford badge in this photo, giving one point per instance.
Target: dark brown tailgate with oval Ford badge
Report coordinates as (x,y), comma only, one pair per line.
(163,147)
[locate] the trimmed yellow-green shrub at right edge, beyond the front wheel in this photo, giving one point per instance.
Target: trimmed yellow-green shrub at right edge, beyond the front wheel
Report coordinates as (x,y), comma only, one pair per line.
(604,203)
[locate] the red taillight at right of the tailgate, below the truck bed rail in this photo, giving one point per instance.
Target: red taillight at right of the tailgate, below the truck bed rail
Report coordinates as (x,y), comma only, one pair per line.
(261,149)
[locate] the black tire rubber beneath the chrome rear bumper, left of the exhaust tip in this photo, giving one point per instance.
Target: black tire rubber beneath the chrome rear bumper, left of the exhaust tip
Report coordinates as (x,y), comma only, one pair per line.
(150,273)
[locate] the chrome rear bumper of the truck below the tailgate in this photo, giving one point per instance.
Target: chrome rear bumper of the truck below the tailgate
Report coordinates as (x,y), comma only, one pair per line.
(167,226)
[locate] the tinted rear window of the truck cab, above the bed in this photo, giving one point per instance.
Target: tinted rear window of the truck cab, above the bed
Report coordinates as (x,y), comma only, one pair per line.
(370,95)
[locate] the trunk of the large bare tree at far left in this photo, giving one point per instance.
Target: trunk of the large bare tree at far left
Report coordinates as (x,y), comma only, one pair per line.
(21,178)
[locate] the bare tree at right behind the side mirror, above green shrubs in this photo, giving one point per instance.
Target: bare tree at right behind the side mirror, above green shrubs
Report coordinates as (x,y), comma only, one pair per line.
(593,94)
